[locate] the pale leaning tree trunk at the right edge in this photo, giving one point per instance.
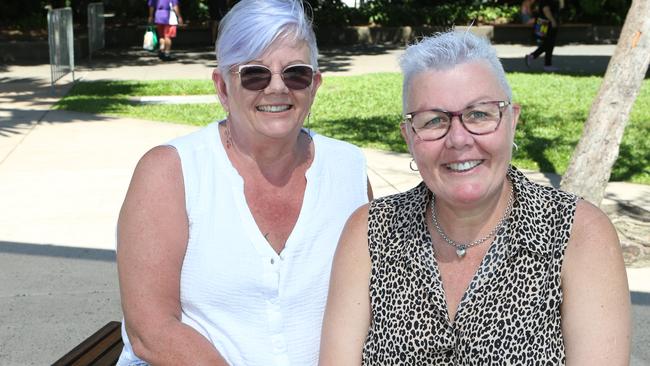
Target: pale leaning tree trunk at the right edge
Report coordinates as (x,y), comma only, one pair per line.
(592,160)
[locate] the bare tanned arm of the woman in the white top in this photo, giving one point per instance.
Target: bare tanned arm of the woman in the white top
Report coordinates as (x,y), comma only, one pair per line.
(152,239)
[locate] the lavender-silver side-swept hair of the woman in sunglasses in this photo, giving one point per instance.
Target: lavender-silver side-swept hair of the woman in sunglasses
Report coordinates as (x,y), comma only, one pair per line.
(251,26)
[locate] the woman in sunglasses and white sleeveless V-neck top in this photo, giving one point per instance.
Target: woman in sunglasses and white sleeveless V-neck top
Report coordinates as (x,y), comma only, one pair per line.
(226,236)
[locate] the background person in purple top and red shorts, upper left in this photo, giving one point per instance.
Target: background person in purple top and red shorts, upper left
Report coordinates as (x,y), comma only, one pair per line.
(166,15)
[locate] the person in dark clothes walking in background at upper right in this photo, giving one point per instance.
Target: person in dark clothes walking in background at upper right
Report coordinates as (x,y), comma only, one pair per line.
(549,16)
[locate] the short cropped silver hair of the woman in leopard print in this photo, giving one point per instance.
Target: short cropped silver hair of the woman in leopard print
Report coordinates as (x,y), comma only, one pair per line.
(446,50)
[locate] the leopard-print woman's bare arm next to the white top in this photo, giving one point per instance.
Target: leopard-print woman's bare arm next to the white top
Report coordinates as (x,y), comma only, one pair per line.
(347,315)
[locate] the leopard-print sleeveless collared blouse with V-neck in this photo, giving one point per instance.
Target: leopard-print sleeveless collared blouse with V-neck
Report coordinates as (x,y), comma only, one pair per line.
(510,312)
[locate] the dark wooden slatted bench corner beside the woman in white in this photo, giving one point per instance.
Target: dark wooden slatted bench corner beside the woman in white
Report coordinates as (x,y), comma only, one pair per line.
(102,348)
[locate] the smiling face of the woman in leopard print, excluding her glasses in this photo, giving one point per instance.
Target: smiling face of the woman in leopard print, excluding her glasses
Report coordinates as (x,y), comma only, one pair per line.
(461,168)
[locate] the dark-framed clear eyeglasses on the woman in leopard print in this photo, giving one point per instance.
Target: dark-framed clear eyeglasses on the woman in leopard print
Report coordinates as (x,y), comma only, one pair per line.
(478,119)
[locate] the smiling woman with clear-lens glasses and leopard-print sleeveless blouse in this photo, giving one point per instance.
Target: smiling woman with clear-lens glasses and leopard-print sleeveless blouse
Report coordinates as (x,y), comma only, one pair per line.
(477,265)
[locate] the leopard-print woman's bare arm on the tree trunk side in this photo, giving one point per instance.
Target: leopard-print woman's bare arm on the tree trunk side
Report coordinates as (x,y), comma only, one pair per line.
(596,320)
